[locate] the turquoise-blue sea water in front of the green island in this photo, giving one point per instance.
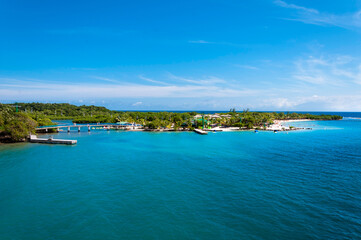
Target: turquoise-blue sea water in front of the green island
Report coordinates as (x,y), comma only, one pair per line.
(139,185)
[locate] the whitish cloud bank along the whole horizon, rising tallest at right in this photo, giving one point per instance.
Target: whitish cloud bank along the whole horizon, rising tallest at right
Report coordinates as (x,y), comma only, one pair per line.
(317,83)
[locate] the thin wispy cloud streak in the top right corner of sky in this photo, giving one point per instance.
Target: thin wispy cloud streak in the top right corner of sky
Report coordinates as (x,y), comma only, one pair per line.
(313,16)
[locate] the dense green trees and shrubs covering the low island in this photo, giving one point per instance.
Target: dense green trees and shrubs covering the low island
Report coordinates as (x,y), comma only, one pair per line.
(17,125)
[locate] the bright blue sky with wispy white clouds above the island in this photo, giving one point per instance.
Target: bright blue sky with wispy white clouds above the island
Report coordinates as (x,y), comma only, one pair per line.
(183,55)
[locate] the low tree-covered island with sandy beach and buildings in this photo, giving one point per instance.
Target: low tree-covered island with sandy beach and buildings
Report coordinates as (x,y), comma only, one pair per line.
(19,121)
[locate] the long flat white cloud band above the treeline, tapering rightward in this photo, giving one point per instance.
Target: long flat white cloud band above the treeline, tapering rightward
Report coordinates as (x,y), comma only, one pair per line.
(56,91)
